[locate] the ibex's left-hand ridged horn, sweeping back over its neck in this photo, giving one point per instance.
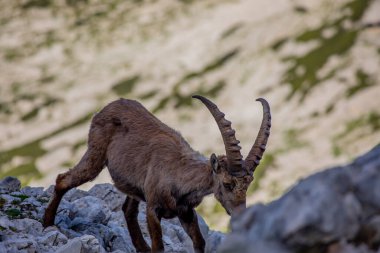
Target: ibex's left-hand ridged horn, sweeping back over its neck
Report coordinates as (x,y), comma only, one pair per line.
(231,145)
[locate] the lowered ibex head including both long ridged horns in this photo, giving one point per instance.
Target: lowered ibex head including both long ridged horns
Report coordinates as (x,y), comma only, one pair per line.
(232,175)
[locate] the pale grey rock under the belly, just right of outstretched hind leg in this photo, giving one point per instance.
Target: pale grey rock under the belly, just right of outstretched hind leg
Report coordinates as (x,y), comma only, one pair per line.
(109,194)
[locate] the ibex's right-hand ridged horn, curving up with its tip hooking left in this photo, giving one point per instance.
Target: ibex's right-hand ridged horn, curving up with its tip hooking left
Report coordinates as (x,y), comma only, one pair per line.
(257,151)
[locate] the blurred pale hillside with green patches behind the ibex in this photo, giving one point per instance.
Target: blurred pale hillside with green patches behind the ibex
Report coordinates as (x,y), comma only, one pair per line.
(317,62)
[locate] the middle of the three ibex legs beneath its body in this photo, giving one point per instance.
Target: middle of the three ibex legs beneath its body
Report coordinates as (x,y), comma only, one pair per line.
(154,226)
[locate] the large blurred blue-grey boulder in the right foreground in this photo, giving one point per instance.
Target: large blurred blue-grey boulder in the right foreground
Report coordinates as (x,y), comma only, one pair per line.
(334,211)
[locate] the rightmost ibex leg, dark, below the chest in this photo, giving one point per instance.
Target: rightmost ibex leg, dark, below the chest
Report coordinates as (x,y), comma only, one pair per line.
(189,222)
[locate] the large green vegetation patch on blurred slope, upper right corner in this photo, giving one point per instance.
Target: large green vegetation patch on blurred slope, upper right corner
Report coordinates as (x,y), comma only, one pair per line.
(302,75)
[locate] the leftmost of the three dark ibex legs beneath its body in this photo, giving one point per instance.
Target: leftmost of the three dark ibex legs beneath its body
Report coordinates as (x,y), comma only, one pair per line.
(131,210)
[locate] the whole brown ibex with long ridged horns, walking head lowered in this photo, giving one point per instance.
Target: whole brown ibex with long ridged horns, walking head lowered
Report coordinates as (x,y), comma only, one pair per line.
(151,162)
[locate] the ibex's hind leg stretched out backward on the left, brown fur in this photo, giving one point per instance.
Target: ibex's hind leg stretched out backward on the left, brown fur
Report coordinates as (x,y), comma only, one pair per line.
(86,170)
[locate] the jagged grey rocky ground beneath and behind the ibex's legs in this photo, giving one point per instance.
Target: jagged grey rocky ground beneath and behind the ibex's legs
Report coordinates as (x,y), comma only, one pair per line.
(87,221)
